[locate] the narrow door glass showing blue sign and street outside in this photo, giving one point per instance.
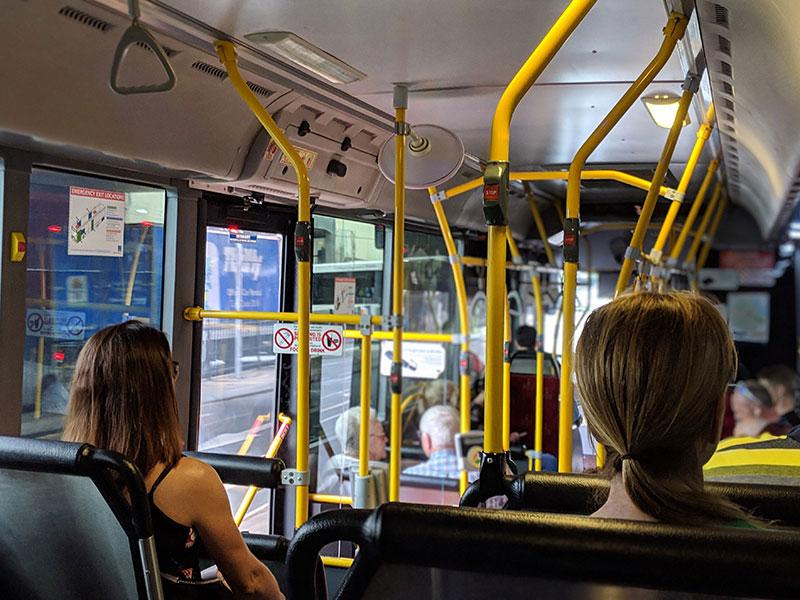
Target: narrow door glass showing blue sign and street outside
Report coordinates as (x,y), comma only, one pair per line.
(239,369)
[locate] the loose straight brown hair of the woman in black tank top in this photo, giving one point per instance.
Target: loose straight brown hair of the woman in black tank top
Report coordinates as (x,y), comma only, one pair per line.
(123,397)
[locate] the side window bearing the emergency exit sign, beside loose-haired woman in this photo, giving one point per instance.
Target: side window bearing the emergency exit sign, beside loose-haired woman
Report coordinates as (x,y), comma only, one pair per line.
(95,258)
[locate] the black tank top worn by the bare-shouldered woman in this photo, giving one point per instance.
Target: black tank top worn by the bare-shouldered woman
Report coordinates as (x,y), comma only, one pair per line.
(178,546)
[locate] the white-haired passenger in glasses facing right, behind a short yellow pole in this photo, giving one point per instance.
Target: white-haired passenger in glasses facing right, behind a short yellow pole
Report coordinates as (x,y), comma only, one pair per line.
(334,478)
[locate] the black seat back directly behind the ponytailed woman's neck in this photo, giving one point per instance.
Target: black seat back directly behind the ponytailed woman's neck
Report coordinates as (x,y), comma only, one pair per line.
(582,494)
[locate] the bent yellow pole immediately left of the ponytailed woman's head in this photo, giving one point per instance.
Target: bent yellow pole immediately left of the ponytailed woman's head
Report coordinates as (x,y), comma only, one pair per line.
(674,30)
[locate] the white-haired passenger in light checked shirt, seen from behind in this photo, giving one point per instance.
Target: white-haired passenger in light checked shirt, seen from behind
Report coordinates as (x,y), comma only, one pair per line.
(437,430)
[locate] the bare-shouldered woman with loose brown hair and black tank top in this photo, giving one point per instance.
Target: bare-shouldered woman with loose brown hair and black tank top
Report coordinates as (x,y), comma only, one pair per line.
(123,399)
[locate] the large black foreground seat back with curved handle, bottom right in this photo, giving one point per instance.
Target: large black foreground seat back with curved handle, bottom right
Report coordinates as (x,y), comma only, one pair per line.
(414,551)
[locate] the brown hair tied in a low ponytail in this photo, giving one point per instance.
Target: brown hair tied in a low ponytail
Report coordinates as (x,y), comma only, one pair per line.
(651,370)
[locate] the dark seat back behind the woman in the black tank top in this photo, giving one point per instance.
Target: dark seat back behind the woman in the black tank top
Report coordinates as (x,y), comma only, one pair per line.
(67,531)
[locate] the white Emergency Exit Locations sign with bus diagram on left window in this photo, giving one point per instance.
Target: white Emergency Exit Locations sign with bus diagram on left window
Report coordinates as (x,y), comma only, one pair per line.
(96,222)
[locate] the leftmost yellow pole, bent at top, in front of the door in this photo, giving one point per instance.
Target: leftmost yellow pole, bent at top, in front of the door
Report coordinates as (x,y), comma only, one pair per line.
(226,52)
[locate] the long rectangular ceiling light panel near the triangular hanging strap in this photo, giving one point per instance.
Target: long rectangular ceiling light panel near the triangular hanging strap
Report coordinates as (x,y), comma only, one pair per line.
(306,55)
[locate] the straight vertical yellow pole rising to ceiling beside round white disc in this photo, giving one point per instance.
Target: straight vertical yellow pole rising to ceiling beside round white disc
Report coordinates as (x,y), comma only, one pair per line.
(398,280)
